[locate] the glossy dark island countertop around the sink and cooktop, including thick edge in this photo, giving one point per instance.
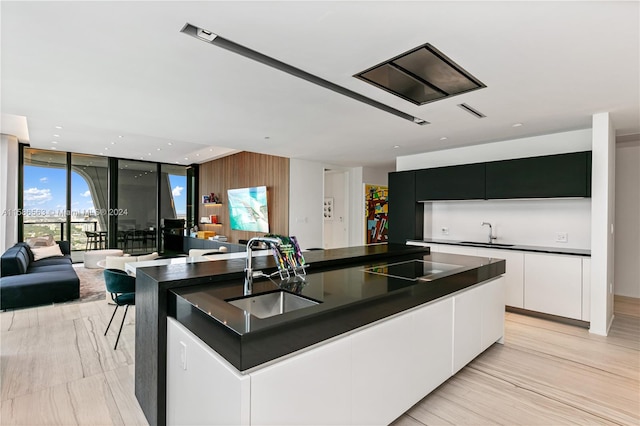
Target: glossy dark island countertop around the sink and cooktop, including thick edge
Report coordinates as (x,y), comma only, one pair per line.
(350,296)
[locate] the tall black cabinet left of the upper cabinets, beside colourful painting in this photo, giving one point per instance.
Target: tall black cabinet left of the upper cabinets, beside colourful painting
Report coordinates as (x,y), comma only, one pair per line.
(406,216)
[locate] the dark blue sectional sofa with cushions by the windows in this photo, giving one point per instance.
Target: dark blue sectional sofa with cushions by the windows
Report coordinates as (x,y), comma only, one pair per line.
(25,282)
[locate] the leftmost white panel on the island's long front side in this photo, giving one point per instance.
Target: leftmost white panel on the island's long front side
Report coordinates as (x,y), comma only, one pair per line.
(311,388)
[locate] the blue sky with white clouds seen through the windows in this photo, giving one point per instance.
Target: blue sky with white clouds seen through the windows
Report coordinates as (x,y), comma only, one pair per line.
(45,189)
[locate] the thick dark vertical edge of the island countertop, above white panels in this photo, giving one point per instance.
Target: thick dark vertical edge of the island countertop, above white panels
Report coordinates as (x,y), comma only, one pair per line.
(253,349)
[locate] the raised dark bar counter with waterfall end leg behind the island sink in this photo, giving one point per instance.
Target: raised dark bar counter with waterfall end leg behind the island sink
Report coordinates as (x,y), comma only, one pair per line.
(152,306)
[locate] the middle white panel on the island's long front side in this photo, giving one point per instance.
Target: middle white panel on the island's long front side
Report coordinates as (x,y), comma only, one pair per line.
(396,364)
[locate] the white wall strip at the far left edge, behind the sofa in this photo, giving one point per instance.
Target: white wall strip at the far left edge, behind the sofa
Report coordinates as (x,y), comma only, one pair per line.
(8,191)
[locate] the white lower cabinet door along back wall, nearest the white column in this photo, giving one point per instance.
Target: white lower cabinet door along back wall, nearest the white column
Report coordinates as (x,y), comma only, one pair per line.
(553,284)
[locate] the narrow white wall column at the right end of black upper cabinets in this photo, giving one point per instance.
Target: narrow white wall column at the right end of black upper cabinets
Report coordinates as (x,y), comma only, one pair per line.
(602,225)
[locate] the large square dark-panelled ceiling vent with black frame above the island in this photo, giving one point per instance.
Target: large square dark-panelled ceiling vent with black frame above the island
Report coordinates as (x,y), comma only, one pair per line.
(421,75)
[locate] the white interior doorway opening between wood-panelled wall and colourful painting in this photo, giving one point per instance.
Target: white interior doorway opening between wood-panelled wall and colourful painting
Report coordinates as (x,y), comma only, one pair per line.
(336,208)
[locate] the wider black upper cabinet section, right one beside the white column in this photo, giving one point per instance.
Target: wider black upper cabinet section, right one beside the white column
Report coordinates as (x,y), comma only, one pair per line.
(550,176)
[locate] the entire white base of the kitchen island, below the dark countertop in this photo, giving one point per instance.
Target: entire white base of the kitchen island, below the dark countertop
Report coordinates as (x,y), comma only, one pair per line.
(367,377)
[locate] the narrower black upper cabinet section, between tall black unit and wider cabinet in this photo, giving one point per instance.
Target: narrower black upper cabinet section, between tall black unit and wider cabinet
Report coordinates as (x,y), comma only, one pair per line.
(464,182)
